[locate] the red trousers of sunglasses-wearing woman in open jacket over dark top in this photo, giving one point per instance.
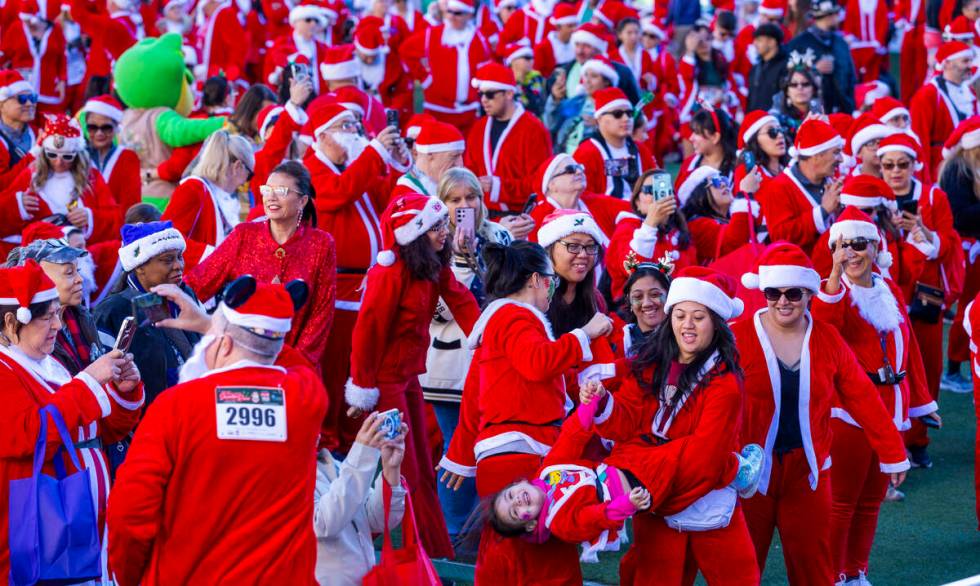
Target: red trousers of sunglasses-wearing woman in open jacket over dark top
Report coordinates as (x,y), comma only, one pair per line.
(802,517)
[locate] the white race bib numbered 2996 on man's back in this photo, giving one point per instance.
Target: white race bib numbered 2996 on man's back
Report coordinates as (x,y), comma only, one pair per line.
(251,413)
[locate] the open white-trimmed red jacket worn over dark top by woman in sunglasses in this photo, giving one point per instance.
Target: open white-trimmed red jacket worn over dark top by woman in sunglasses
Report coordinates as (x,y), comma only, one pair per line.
(829,375)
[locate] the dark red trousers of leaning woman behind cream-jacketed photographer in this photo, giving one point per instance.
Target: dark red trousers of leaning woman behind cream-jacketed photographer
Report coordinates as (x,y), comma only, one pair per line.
(417,467)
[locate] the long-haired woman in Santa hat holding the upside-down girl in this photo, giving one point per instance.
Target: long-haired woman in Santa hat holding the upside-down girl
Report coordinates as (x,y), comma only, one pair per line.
(675,424)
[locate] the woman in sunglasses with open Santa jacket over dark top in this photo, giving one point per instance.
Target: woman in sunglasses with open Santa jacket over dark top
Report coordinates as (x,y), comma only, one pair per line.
(796,368)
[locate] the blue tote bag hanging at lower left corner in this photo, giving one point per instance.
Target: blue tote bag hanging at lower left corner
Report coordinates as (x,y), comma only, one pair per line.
(54,533)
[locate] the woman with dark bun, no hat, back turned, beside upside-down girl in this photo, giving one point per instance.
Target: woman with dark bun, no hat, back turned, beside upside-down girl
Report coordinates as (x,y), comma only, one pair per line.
(513,404)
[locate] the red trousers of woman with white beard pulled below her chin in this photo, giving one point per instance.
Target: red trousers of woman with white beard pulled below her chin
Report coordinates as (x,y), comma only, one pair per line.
(858,488)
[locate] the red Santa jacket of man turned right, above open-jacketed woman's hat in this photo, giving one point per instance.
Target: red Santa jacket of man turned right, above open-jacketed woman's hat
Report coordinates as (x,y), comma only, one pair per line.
(790,213)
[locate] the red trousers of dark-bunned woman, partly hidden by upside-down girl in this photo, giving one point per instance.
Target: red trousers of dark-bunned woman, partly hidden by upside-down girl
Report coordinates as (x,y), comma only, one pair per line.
(513,561)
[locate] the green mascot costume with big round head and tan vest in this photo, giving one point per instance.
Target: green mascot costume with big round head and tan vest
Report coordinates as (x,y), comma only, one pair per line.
(155,85)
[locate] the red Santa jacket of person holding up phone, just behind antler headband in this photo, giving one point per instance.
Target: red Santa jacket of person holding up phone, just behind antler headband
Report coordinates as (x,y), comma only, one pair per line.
(647,244)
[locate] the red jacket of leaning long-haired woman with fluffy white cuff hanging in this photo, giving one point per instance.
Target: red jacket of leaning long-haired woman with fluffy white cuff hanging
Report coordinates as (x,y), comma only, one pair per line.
(391,335)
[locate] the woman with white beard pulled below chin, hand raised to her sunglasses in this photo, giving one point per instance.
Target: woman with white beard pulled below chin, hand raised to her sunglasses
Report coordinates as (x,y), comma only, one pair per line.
(876,326)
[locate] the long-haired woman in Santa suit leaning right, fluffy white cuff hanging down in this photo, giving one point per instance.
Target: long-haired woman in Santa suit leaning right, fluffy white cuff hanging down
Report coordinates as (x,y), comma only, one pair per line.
(391,337)
